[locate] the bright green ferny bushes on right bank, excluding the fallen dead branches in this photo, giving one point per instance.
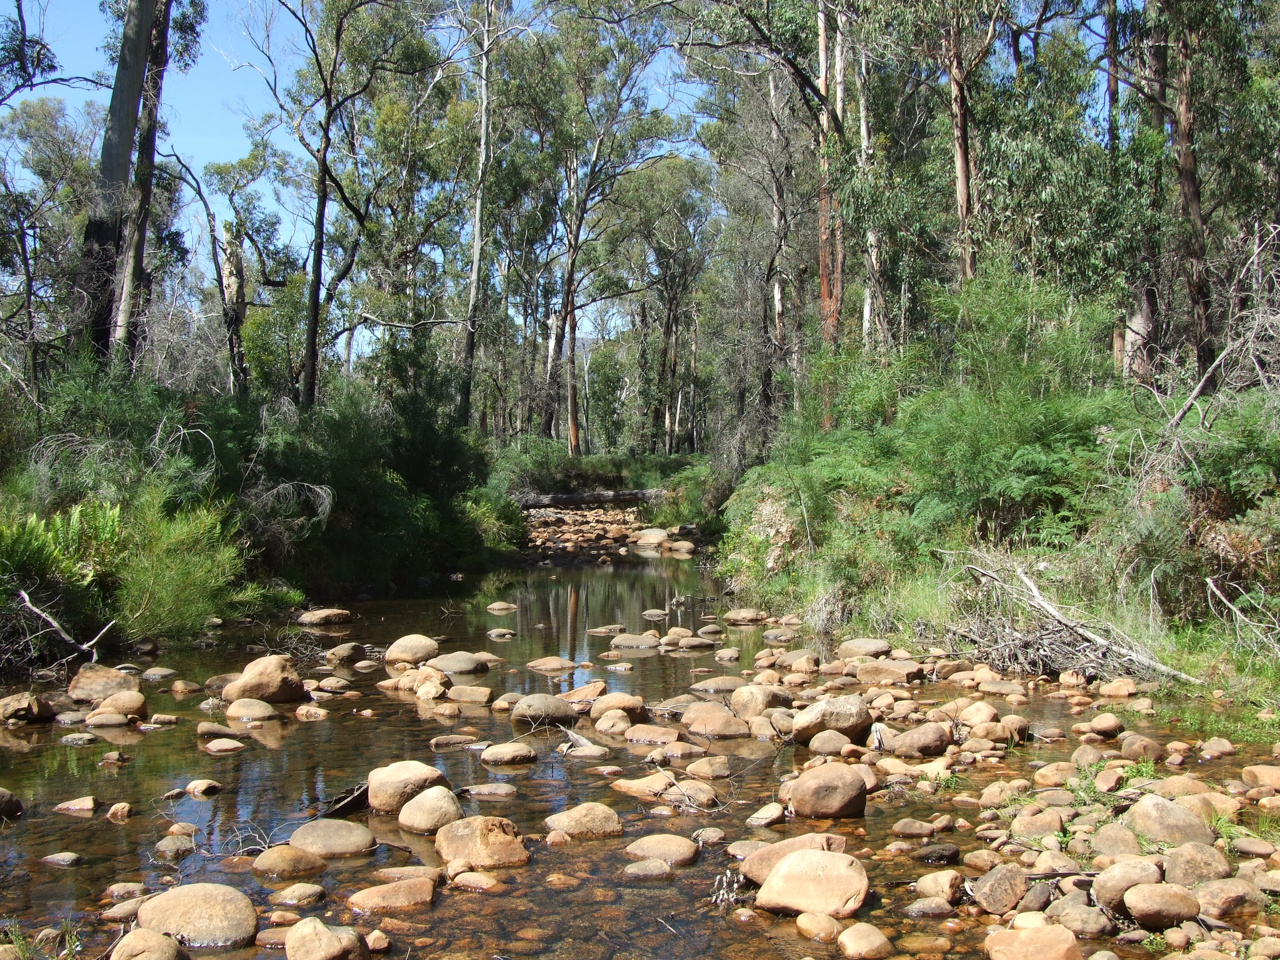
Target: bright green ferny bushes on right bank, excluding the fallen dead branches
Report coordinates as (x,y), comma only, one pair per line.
(986,436)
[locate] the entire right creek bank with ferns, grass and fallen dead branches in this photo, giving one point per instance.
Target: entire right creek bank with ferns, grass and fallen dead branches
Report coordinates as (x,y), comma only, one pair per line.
(1008,444)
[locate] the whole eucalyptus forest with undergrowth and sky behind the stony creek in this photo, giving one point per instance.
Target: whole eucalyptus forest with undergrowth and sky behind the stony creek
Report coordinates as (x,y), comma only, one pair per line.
(927,309)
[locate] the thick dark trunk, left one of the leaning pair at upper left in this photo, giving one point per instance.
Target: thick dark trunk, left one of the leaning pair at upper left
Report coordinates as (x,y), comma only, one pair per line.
(103,231)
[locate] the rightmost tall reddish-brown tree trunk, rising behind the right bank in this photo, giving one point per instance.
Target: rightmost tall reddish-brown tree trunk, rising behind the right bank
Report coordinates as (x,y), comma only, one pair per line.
(1196,262)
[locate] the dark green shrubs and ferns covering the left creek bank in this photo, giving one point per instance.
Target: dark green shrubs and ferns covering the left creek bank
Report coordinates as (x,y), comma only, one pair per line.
(159,510)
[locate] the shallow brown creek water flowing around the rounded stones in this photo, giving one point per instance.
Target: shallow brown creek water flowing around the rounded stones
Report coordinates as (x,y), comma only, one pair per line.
(292,769)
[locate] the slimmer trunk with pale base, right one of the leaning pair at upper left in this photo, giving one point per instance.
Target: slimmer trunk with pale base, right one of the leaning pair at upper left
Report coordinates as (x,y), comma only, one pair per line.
(131,281)
